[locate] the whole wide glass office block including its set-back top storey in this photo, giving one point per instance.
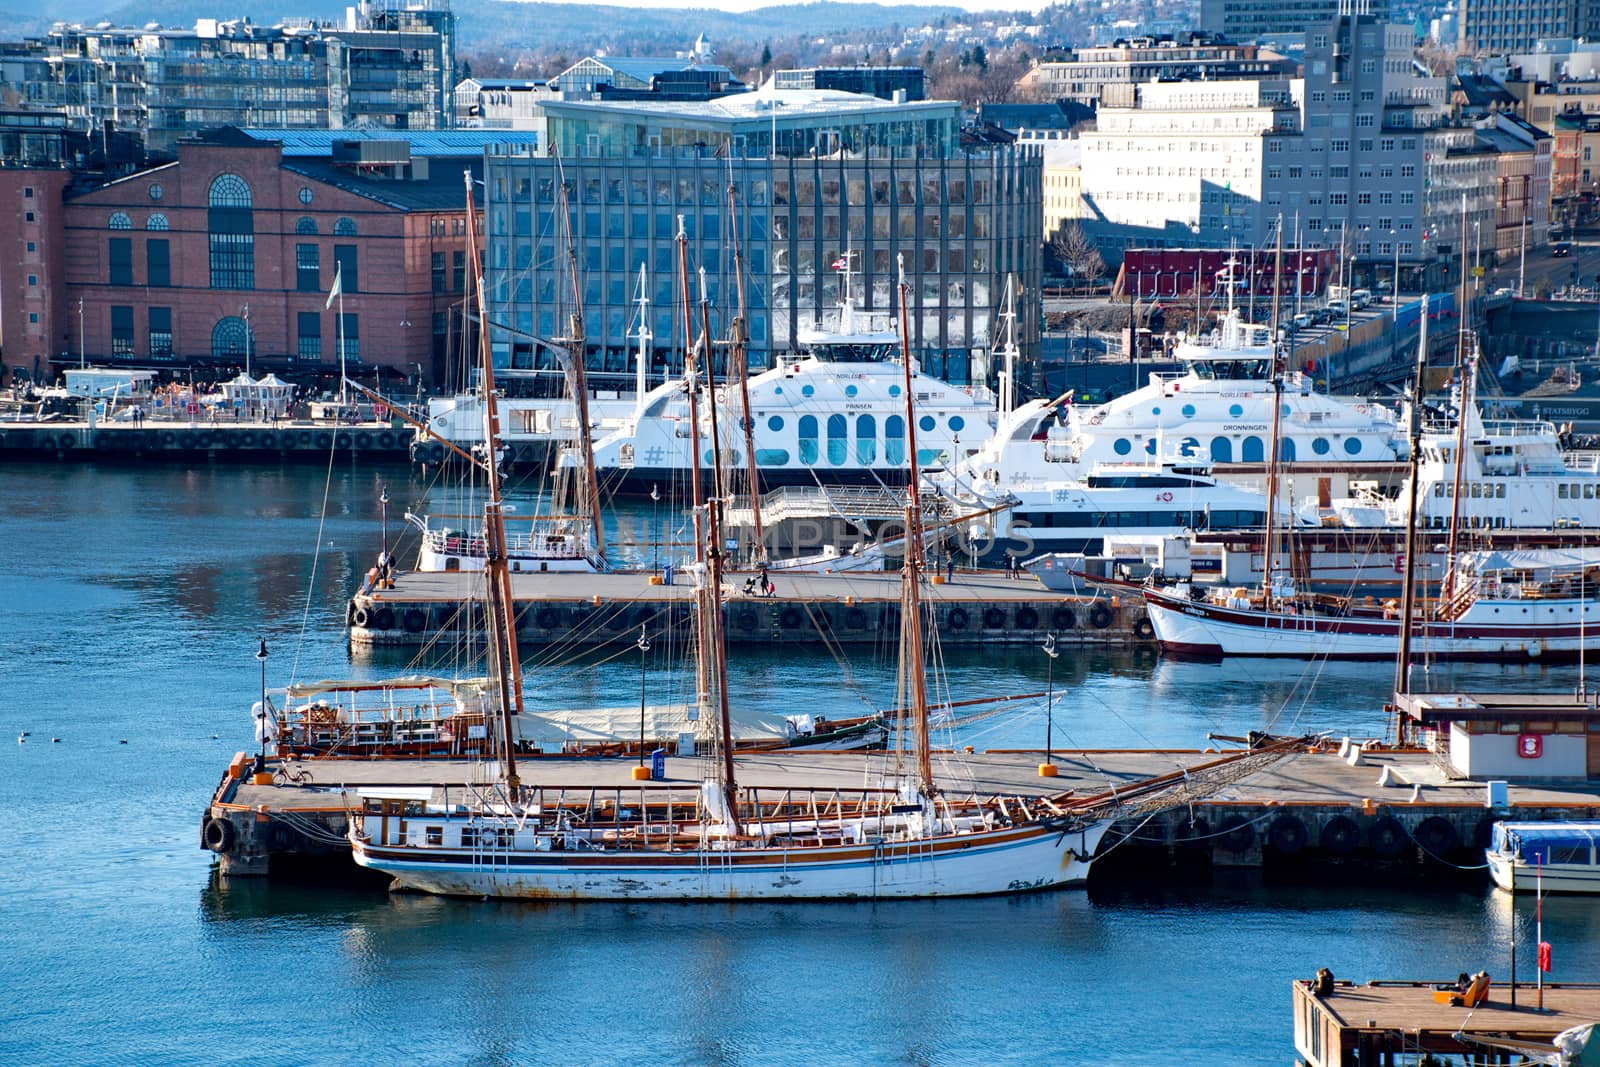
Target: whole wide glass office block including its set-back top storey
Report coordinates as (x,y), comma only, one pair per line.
(822,180)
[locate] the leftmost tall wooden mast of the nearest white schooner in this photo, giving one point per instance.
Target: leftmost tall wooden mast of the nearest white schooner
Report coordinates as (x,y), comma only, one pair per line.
(505,658)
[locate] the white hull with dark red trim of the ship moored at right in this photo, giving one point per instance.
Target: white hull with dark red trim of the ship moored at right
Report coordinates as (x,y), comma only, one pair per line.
(1204,629)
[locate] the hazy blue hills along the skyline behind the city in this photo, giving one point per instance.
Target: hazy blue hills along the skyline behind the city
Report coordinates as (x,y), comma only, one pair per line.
(580,28)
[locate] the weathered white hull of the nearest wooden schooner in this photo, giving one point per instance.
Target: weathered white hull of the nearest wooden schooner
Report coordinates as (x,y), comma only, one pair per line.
(1020,860)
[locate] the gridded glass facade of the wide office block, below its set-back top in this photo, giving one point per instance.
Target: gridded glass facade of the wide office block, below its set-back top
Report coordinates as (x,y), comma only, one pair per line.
(959,223)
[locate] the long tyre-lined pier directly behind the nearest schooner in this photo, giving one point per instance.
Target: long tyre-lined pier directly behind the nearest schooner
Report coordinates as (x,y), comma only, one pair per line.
(1308,809)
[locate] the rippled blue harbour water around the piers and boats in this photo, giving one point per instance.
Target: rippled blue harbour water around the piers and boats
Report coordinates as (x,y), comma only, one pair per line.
(134,599)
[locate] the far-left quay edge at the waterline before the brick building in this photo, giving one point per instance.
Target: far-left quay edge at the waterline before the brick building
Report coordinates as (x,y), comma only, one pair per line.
(202,439)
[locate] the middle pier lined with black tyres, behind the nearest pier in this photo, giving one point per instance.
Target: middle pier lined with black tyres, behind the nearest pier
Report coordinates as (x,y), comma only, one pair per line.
(852,609)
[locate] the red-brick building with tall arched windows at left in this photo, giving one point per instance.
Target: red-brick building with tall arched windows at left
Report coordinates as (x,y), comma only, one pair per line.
(228,257)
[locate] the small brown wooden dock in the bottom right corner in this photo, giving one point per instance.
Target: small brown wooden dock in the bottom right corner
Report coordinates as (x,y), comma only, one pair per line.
(1399,1023)
